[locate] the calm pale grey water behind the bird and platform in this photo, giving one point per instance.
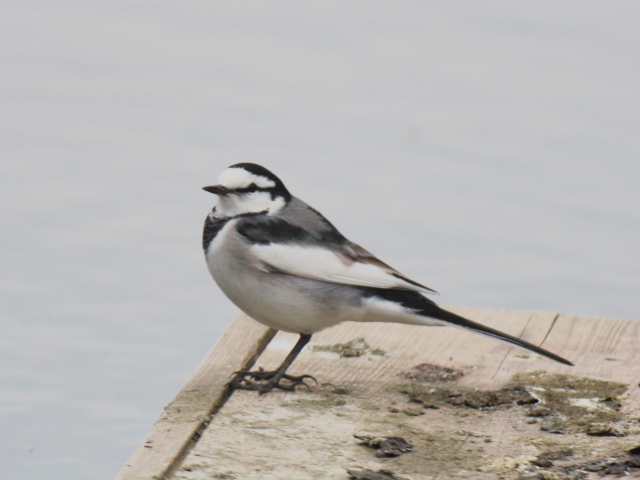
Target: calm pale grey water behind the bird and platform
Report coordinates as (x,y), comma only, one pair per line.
(490,151)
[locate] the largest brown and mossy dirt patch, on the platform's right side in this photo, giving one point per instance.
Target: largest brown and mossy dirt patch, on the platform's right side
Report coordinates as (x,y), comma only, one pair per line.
(574,409)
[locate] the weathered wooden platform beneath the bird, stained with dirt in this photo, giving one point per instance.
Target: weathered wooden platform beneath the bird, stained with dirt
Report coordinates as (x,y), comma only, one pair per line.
(309,434)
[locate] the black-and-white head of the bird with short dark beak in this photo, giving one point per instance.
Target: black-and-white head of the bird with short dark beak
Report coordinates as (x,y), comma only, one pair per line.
(248,188)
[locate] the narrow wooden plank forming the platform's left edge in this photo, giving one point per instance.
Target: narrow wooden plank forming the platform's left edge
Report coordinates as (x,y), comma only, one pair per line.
(202,395)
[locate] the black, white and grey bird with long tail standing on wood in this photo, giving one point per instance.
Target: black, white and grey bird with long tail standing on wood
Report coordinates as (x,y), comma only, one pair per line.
(285,265)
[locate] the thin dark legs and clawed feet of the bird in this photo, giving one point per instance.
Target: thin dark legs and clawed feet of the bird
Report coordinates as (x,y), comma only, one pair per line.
(267,381)
